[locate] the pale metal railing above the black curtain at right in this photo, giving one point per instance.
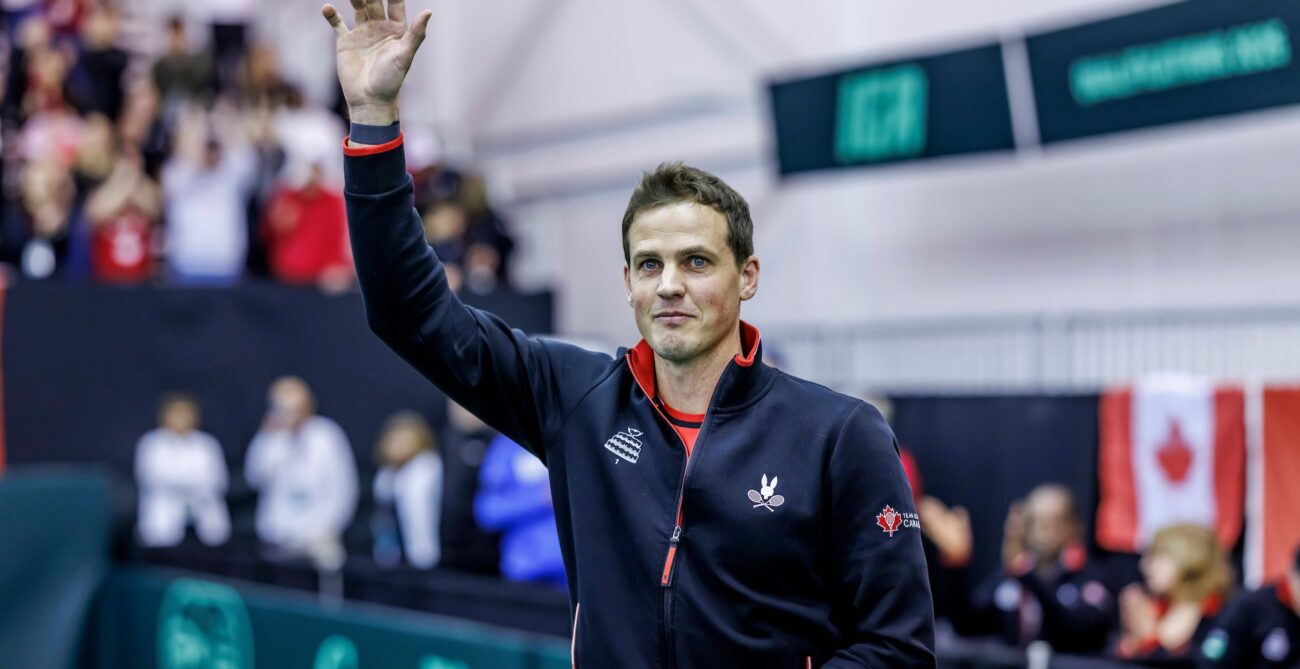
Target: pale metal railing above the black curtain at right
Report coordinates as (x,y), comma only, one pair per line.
(1045,354)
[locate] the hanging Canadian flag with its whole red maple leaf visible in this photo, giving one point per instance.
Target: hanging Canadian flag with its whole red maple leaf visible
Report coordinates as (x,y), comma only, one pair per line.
(1173,451)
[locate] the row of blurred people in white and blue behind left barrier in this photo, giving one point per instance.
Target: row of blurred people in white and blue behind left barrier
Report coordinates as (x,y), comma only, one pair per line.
(313,506)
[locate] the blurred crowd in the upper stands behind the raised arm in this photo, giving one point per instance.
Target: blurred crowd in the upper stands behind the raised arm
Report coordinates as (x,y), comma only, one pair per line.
(197,162)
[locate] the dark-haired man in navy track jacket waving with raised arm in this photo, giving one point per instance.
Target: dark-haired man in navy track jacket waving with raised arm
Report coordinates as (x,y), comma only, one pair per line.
(713,511)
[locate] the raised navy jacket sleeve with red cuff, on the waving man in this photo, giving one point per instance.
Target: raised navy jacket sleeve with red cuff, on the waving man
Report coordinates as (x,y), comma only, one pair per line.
(521,386)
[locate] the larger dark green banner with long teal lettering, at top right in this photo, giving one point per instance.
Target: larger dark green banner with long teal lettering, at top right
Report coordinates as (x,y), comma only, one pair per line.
(1180,63)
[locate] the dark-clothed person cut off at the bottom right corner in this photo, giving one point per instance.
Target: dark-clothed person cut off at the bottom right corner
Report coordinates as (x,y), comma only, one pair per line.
(1258,631)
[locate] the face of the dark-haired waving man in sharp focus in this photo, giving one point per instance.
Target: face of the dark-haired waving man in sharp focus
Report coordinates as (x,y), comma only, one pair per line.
(683,281)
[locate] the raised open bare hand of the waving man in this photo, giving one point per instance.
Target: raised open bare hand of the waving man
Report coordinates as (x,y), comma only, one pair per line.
(375,57)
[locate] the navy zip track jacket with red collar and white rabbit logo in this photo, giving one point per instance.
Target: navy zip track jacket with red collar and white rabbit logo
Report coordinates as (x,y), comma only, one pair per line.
(788,541)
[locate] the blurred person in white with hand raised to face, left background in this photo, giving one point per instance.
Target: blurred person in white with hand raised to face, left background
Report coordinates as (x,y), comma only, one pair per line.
(304,471)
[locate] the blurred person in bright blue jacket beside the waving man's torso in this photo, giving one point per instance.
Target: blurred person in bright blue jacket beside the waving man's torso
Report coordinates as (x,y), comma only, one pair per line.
(515,499)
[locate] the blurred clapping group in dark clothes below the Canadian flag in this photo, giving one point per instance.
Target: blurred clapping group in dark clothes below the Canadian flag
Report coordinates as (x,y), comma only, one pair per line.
(1182,609)
